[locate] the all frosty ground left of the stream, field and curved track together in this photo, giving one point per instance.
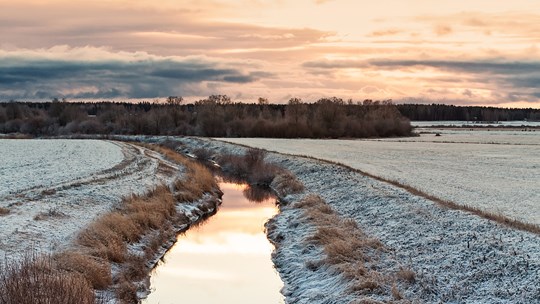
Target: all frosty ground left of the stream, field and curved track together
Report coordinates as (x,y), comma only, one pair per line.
(53,188)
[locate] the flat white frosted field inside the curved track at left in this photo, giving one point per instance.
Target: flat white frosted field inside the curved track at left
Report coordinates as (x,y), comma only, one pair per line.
(26,164)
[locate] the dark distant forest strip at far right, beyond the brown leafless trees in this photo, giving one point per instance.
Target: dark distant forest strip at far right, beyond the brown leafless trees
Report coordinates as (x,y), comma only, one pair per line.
(433,112)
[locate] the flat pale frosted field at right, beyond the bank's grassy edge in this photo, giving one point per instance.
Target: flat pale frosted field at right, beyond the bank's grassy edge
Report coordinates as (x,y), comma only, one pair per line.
(498,171)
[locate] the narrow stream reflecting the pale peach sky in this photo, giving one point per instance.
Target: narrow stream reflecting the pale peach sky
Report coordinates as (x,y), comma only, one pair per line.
(225,260)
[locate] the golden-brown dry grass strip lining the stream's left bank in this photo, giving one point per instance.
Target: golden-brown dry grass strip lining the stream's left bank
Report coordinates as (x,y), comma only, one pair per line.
(152,215)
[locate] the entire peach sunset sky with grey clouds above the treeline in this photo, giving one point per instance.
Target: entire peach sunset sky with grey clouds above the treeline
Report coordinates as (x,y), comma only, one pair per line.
(474,52)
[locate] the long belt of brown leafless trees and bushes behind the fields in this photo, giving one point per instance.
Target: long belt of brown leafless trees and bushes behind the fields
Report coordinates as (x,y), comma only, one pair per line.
(215,116)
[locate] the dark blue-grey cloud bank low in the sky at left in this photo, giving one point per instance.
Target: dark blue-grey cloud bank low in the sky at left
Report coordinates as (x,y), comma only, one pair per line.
(110,79)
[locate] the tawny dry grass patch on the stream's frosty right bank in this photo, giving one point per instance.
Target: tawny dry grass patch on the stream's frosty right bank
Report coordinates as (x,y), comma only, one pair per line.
(347,249)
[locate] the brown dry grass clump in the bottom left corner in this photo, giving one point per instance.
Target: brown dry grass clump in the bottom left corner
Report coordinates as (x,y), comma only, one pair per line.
(36,280)
